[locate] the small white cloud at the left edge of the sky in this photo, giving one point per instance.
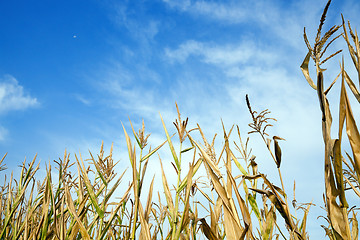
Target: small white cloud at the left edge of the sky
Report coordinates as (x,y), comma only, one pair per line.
(13,96)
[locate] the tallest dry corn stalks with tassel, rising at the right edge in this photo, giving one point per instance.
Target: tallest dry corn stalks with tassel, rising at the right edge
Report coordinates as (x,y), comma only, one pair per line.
(337,179)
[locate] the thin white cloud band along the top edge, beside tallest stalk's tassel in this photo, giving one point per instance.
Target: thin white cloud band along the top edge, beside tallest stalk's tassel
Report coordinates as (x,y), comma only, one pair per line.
(286,23)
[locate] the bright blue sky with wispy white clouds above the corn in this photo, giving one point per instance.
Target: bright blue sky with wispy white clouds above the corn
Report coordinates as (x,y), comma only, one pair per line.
(72,71)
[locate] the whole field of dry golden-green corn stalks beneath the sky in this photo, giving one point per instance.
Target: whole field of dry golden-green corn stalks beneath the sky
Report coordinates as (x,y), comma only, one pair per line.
(76,199)
